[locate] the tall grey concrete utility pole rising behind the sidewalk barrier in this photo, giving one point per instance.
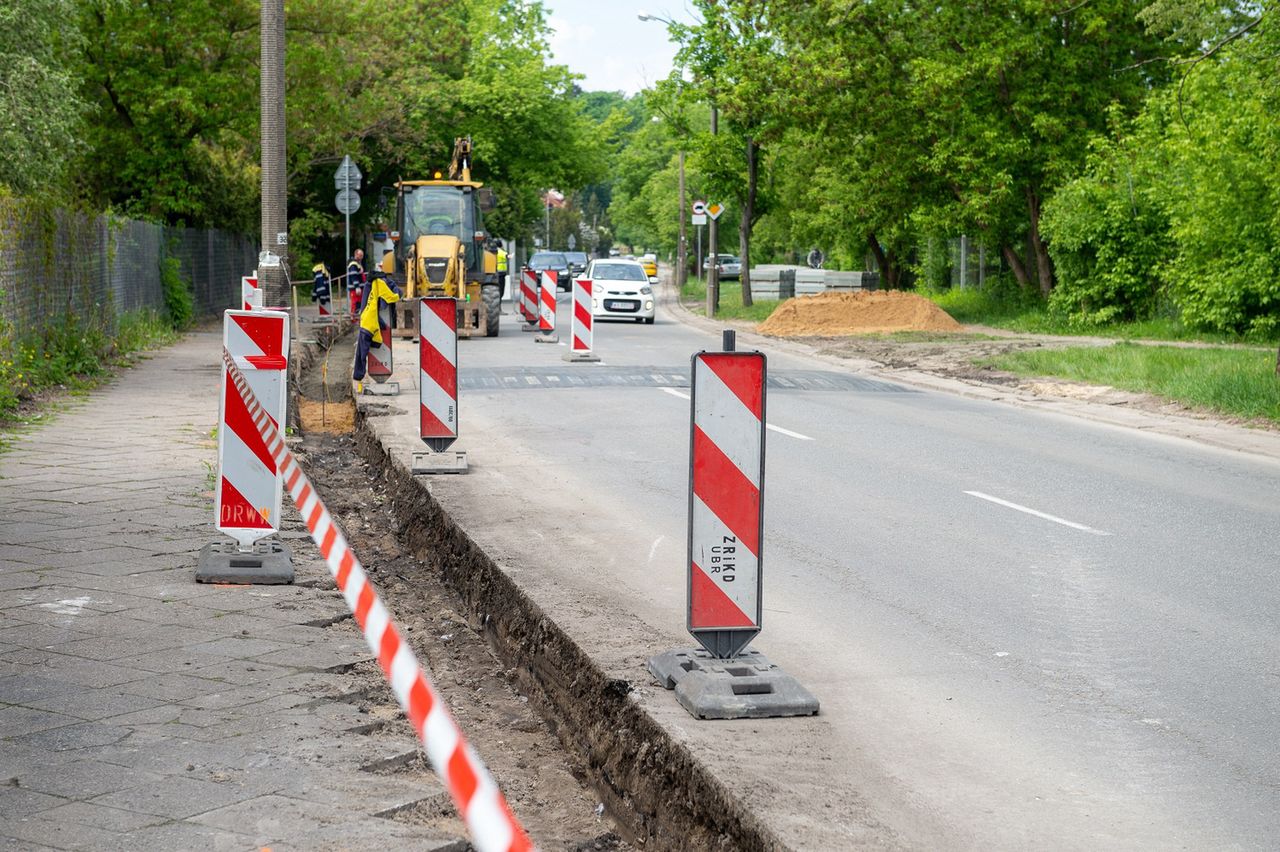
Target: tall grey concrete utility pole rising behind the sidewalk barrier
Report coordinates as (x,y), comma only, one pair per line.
(276,227)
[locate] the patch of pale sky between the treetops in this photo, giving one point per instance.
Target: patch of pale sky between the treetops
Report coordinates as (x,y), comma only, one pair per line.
(605,42)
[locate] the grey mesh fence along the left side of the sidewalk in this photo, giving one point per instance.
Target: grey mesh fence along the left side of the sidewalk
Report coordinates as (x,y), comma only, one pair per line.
(58,264)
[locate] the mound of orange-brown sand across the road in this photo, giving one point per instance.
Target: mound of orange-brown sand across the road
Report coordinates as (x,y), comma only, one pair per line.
(862,313)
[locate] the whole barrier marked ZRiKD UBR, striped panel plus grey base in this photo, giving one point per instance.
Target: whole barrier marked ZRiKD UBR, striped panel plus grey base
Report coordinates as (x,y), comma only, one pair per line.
(723,680)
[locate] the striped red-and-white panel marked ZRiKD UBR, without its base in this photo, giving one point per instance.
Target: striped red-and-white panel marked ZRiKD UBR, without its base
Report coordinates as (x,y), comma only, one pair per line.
(726,498)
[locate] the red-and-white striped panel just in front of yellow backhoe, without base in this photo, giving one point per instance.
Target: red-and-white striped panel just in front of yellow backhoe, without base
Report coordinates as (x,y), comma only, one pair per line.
(438,363)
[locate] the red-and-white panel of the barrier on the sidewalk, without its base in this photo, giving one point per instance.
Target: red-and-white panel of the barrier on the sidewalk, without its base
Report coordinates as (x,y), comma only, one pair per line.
(248,498)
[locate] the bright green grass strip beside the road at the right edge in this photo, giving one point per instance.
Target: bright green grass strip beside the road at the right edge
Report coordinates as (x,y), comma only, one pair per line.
(1241,383)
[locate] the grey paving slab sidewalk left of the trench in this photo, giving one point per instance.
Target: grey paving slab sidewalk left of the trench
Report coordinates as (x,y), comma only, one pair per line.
(140,711)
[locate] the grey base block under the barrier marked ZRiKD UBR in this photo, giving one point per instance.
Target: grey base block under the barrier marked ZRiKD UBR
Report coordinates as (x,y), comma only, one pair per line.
(743,688)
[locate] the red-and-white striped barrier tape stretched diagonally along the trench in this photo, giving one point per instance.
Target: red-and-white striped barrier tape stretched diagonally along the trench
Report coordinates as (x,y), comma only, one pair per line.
(492,826)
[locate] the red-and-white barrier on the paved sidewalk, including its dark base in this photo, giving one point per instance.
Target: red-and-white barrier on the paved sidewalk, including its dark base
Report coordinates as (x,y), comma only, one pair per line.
(248,492)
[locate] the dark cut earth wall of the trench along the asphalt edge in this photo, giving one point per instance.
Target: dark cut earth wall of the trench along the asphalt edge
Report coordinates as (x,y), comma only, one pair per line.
(648,780)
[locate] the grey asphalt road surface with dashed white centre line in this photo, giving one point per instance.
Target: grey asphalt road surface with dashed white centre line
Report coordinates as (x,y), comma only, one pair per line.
(1026,630)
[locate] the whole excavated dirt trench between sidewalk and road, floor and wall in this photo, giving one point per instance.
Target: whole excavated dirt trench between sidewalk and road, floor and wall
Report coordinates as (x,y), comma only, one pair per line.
(580,763)
